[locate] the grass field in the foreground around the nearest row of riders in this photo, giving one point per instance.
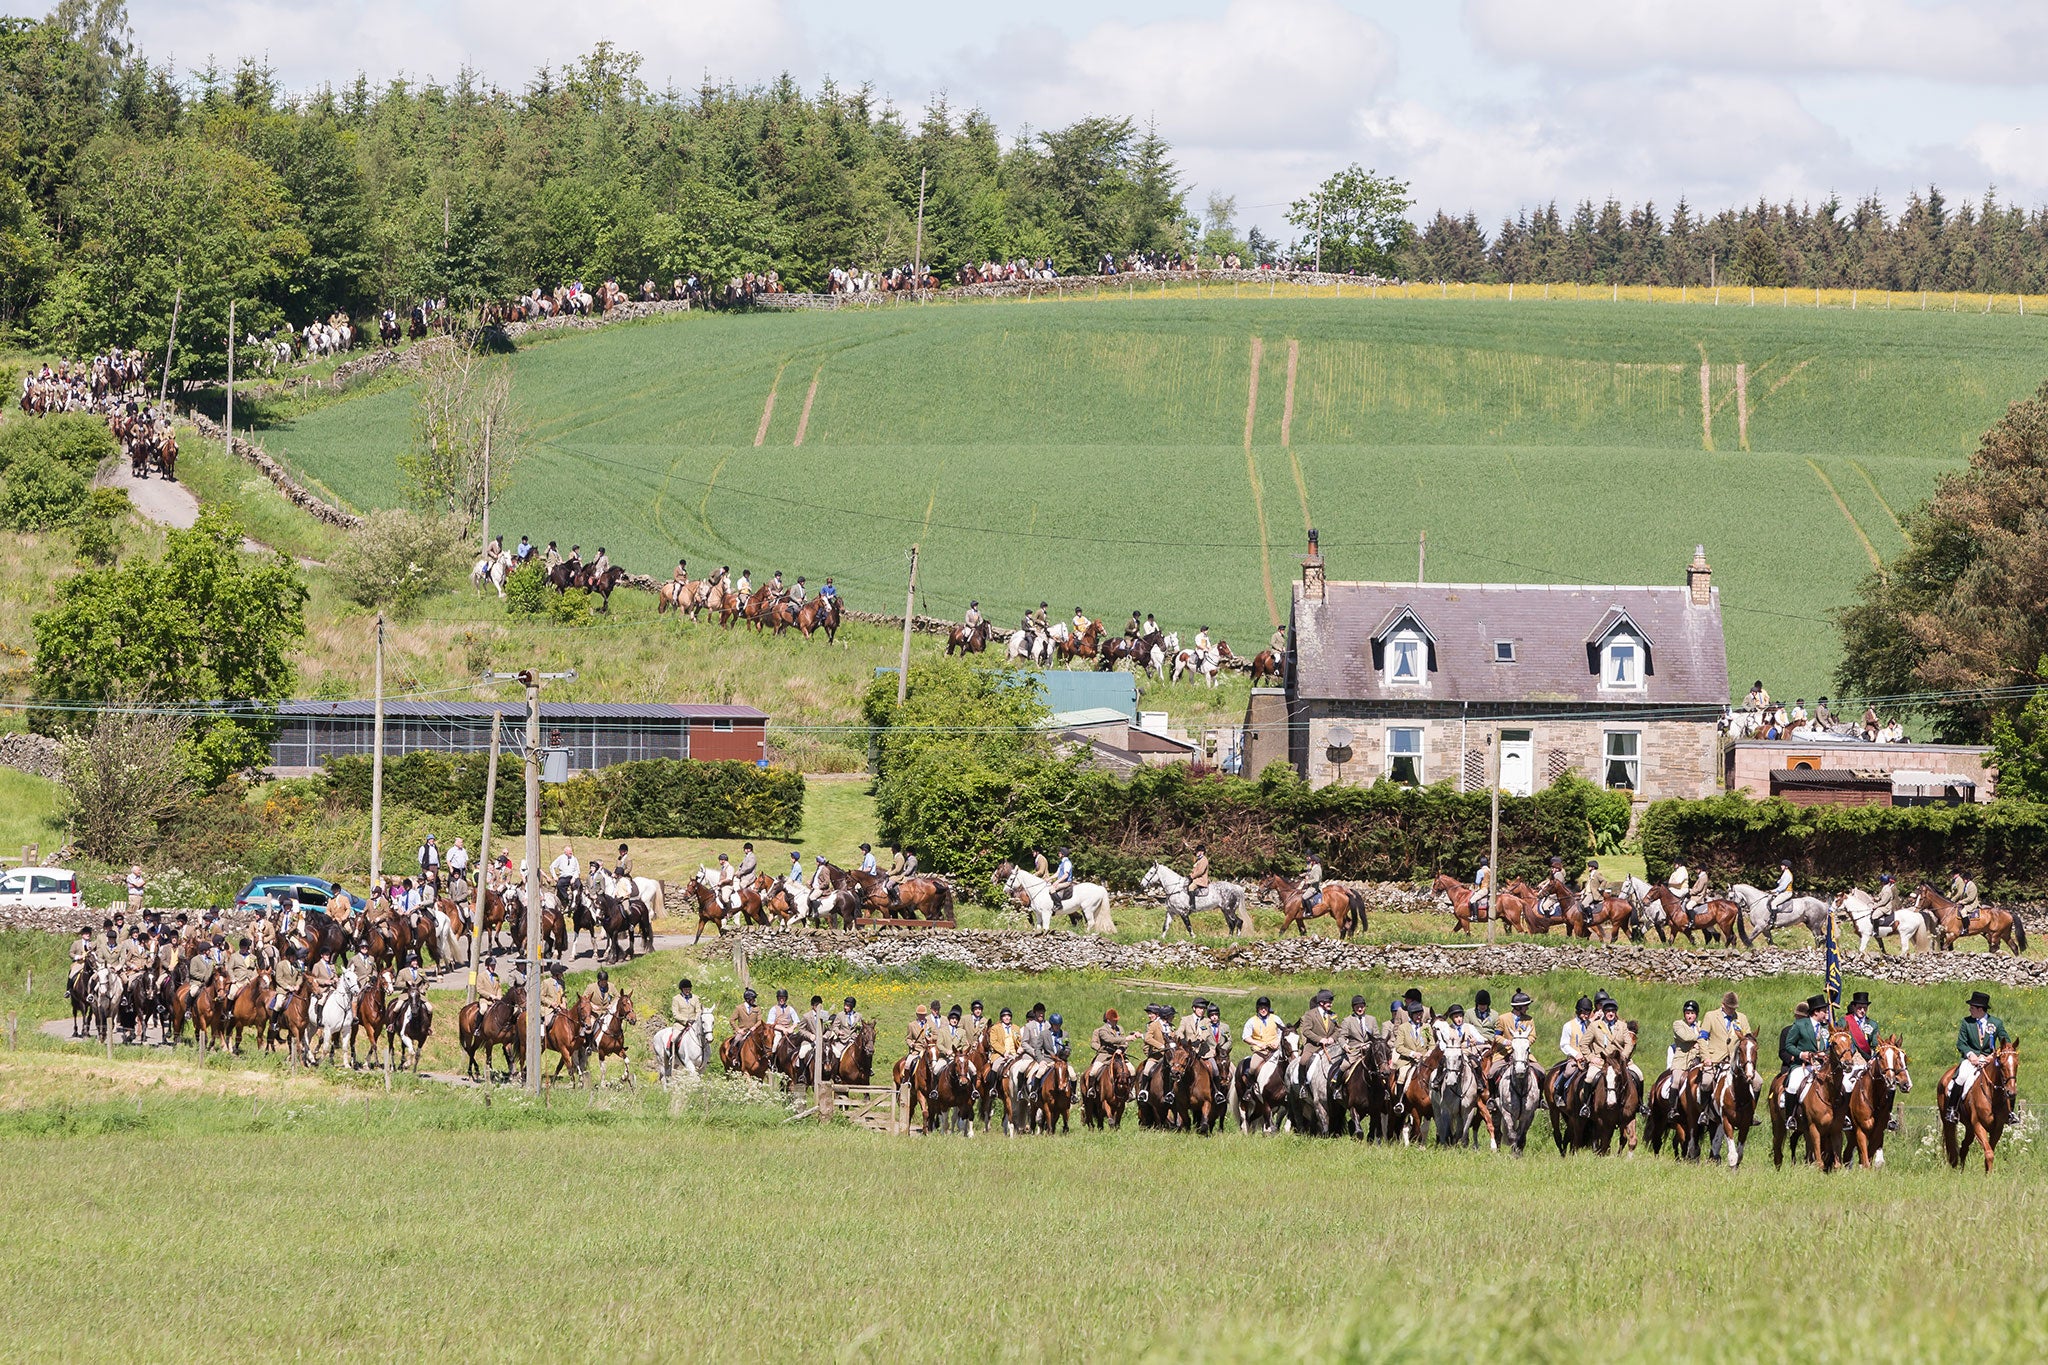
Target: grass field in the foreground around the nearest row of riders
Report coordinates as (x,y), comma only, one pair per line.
(427,1221)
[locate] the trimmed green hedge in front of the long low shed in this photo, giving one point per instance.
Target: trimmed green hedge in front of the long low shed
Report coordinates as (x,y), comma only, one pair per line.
(650,799)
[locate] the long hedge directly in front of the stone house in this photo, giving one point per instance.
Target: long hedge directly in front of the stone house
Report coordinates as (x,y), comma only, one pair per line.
(966,818)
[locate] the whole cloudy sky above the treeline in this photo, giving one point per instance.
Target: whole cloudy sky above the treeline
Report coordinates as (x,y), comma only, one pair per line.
(1492,105)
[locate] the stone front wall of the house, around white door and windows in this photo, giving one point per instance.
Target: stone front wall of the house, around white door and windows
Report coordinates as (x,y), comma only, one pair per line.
(1678,758)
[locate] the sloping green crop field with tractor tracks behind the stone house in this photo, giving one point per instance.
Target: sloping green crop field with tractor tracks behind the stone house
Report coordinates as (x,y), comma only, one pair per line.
(1113,453)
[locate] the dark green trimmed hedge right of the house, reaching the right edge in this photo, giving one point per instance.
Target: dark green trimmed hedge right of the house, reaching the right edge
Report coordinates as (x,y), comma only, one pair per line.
(1742,840)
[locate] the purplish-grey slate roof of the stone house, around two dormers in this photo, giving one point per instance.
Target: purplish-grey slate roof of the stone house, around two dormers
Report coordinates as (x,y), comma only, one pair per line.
(1553,629)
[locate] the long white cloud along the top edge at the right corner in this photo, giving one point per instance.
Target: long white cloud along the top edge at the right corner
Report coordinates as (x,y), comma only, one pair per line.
(1949,40)
